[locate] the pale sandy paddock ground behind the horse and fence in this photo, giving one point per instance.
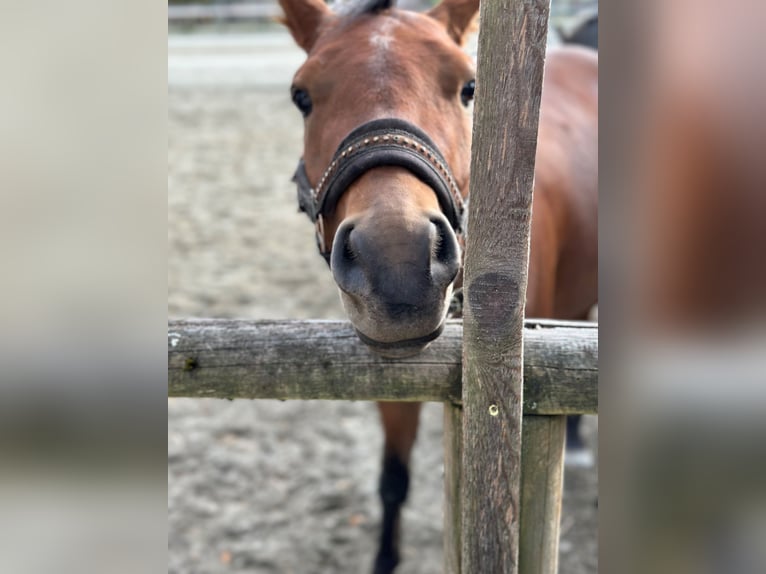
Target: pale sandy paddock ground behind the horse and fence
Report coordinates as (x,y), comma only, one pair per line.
(264,486)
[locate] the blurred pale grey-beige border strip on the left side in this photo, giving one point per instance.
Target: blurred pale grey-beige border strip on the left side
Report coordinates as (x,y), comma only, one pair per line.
(83,282)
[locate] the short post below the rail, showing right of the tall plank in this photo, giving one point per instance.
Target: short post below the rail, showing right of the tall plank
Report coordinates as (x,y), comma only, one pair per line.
(542,471)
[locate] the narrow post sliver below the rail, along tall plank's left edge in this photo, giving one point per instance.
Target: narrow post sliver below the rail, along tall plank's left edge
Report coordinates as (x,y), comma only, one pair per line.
(453,454)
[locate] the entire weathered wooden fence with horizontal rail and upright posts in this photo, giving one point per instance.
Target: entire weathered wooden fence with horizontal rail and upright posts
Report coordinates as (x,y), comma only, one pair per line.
(506,387)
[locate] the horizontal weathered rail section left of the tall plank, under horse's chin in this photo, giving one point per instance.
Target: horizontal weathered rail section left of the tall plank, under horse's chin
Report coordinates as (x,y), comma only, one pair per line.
(301,360)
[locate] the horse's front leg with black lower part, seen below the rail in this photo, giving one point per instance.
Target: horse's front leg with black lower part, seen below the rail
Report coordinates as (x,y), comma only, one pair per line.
(400,426)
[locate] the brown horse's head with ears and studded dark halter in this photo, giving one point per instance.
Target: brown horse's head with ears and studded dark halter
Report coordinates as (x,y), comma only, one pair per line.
(385,170)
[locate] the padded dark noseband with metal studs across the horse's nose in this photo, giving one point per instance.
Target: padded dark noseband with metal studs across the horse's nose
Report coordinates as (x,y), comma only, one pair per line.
(383,142)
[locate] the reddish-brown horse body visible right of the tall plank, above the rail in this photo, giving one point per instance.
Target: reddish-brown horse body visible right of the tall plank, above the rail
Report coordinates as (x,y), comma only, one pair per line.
(563,264)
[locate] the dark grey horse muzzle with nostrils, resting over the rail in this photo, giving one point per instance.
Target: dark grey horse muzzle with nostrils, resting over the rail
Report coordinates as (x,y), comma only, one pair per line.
(396,286)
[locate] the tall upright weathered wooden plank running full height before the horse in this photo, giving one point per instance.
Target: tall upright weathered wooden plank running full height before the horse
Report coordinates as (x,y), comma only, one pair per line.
(508,88)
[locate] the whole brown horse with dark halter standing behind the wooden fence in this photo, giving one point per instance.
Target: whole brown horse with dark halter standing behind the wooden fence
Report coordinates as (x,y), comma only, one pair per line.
(385,172)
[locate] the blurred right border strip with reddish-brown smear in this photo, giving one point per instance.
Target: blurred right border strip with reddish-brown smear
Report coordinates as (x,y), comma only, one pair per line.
(687,466)
